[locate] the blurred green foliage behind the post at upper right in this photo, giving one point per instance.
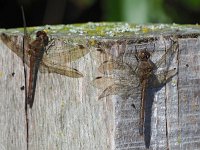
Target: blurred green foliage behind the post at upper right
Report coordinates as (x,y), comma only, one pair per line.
(152,11)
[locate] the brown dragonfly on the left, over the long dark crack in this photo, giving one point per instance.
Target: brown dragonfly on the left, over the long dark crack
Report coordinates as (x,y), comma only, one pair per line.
(36,58)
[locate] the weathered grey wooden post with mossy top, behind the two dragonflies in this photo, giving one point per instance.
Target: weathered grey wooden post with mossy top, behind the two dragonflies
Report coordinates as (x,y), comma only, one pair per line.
(67,113)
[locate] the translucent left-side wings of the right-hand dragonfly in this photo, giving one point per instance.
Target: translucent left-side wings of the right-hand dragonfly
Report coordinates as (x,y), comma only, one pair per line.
(121,82)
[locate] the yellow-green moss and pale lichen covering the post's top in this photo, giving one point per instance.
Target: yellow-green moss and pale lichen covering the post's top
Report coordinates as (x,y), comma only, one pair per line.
(111,29)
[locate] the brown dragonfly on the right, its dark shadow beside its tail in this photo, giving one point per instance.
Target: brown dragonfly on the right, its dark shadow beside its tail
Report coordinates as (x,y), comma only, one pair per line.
(121,78)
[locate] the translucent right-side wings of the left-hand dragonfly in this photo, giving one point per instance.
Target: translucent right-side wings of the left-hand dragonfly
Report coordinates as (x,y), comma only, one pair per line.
(58,62)
